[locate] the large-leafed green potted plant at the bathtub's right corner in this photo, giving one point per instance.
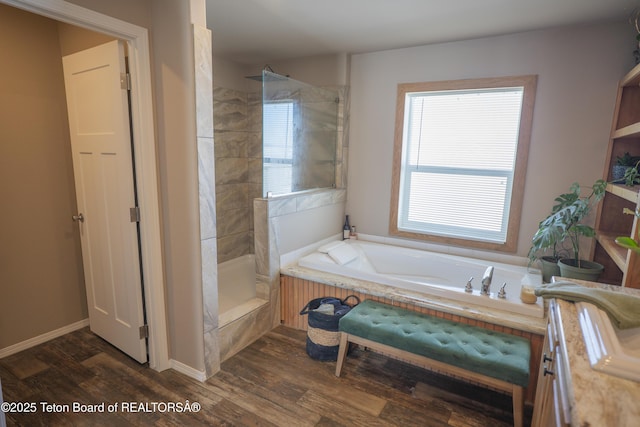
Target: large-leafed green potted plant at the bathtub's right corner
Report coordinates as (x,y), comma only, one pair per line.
(565,224)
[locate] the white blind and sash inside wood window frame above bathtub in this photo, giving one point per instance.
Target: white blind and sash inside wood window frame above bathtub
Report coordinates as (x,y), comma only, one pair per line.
(459,153)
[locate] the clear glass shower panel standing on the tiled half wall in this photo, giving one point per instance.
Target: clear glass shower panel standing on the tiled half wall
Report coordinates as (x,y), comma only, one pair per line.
(299,135)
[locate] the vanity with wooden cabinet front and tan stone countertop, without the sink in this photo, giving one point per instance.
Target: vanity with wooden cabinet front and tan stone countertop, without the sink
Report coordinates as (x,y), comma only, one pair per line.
(576,394)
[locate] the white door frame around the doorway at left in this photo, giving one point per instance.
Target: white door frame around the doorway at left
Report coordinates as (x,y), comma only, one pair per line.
(137,39)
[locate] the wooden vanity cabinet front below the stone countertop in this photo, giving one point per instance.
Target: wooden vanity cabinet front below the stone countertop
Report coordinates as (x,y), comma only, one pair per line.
(552,407)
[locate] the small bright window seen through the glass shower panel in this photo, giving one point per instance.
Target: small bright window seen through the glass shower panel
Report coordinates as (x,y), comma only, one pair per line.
(277,147)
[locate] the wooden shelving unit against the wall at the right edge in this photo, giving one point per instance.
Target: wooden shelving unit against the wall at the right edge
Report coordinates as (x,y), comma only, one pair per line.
(622,267)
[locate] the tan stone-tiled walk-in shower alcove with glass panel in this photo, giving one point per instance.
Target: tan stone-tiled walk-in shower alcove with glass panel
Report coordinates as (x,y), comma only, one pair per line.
(297,147)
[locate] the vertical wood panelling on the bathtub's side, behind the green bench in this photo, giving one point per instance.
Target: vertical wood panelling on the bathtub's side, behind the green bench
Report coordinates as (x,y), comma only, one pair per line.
(295,293)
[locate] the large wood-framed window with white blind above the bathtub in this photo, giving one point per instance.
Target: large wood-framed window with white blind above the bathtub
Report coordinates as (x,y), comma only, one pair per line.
(460,160)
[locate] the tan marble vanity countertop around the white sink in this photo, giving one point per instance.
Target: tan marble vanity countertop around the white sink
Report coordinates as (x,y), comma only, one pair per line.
(597,399)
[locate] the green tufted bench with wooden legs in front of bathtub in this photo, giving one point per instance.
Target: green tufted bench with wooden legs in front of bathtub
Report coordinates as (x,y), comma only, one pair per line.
(491,358)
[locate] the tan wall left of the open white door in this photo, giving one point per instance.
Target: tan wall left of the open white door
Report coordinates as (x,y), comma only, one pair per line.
(41,278)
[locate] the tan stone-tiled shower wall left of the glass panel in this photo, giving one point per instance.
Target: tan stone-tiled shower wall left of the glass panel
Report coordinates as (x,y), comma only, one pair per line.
(238,153)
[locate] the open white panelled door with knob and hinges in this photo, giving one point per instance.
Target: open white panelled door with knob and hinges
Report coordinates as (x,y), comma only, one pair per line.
(102,163)
